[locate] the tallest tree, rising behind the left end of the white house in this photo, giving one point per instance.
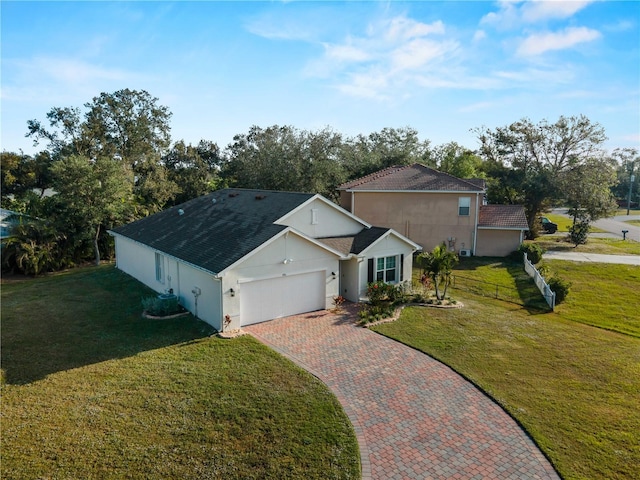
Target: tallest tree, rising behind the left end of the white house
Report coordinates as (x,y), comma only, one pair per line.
(127,125)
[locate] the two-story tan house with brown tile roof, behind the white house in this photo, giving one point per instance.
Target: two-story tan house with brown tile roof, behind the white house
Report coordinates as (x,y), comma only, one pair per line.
(431,207)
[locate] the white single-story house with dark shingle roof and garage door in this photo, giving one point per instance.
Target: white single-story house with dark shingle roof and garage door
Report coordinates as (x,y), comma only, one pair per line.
(237,257)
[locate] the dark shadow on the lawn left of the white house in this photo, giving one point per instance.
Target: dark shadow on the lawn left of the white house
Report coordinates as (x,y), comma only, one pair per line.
(79,318)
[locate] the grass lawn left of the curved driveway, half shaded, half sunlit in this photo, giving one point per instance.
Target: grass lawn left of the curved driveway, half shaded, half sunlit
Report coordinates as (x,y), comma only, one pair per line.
(94,391)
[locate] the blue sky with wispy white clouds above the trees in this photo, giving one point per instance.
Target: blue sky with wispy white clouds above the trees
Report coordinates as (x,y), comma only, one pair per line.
(442,68)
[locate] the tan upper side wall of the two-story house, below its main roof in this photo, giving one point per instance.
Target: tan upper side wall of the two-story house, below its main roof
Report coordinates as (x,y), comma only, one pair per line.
(426,218)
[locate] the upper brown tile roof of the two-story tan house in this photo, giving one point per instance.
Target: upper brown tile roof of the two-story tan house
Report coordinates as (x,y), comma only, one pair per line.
(414,177)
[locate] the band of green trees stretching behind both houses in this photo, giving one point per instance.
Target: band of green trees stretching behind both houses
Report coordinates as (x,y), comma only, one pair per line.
(113,162)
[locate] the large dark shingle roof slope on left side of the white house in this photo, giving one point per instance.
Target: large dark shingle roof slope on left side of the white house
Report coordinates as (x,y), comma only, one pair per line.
(214,235)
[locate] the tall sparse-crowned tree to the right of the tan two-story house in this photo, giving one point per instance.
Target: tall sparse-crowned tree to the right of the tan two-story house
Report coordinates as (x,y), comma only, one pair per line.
(541,155)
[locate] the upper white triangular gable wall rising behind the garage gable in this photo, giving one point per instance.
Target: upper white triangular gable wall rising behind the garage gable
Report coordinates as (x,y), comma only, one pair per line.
(332,221)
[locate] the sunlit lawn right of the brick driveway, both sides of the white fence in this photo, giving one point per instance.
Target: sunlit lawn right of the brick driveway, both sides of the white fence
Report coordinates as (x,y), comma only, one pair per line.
(575,388)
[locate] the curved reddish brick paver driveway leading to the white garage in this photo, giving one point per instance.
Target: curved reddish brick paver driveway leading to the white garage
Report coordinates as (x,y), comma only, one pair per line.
(414,417)
